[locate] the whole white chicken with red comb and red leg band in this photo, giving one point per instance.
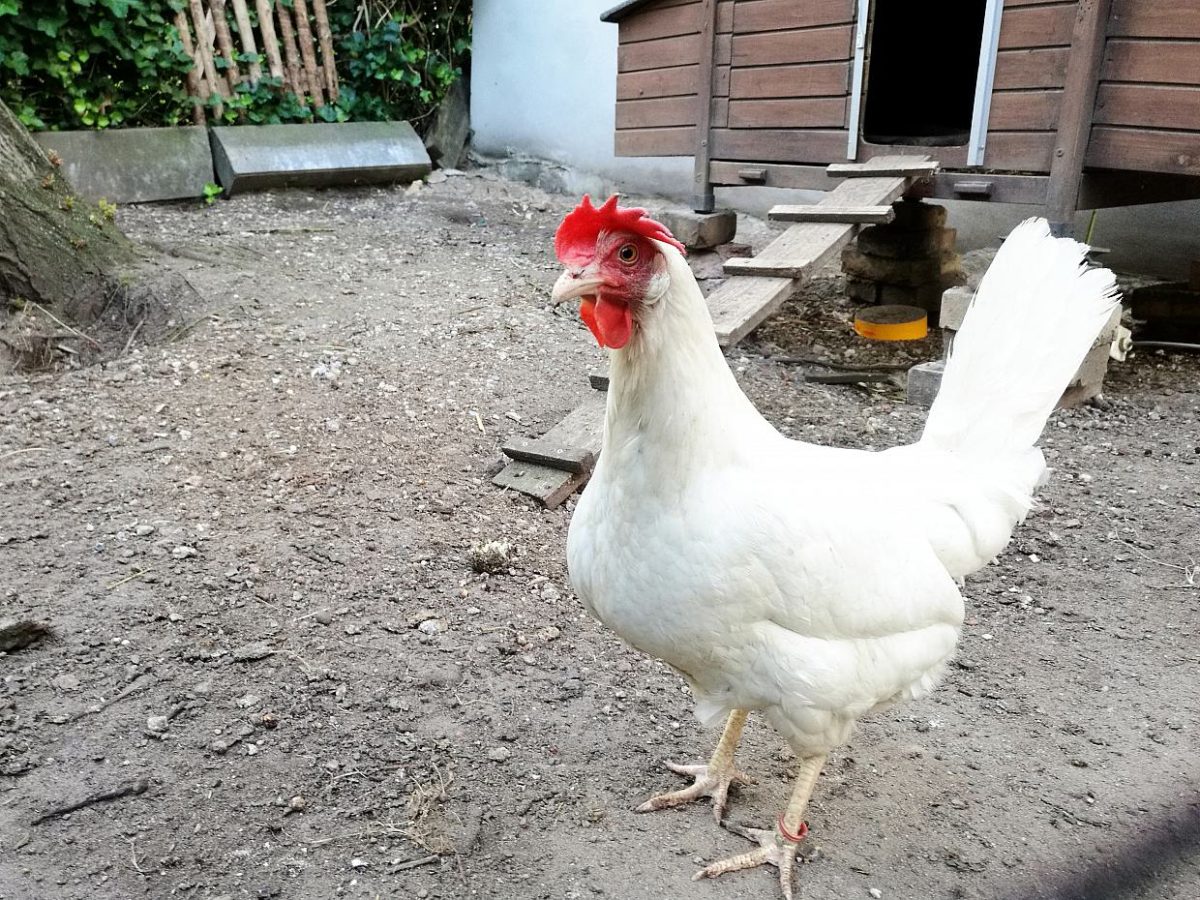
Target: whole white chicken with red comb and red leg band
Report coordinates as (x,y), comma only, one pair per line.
(812,584)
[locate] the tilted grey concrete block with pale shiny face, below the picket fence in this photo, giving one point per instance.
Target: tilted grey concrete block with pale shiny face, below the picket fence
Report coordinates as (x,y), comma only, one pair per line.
(251,158)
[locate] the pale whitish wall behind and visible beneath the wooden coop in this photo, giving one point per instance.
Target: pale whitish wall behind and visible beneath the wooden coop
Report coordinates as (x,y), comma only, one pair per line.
(544,85)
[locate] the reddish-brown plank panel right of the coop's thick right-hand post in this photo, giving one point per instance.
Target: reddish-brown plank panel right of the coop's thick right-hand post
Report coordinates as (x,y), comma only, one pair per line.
(1148,109)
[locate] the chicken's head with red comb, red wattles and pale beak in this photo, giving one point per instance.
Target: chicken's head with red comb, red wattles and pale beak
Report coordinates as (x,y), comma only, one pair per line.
(615,265)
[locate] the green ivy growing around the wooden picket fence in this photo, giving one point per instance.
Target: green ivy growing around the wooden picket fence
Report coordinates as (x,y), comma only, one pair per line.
(100,64)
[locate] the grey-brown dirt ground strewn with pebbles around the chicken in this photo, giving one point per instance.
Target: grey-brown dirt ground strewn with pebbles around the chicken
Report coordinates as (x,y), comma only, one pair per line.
(251,539)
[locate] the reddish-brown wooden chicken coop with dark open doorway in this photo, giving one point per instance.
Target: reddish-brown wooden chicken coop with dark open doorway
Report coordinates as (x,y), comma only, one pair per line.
(1065,104)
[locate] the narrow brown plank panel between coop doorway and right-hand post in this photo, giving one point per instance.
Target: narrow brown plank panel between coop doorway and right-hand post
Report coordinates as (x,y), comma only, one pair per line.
(1031,68)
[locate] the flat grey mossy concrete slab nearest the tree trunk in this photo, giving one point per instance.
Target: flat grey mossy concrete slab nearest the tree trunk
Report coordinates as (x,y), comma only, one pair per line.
(134,165)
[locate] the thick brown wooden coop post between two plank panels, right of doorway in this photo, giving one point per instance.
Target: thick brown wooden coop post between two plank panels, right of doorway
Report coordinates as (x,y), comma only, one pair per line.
(1076,117)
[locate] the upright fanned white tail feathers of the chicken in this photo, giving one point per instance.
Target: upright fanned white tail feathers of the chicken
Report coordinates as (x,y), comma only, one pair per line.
(1036,315)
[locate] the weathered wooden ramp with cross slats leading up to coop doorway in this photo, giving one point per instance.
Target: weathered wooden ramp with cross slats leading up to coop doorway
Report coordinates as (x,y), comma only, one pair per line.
(560,463)
